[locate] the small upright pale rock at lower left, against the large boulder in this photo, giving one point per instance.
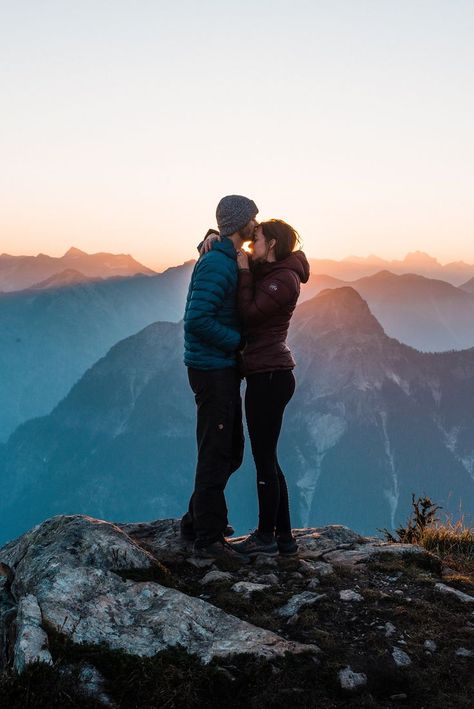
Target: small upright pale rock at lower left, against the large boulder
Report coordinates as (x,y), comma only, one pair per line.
(31,640)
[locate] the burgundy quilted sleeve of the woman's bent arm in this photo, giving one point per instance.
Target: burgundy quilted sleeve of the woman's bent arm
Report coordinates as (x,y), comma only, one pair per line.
(258,300)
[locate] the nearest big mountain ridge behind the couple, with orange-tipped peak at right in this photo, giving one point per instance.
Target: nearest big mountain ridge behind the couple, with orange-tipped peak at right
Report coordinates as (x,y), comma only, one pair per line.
(372,421)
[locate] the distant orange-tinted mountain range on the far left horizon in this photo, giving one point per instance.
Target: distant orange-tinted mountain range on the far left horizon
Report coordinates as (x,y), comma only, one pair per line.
(19,272)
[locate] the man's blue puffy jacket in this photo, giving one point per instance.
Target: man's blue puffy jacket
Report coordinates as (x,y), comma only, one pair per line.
(211,323)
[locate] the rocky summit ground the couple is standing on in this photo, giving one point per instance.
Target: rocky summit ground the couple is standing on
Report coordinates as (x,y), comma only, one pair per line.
(355,608)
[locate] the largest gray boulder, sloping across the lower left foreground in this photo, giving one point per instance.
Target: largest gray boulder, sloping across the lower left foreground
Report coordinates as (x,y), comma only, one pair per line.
(69,564)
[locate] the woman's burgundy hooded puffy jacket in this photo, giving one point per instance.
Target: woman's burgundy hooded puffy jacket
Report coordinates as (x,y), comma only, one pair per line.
(267,297)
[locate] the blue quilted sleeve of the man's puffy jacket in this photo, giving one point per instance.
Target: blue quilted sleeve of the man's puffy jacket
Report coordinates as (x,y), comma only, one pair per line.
(210,284)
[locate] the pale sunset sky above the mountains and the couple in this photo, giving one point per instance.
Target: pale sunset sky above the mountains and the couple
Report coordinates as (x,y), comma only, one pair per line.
(123,123)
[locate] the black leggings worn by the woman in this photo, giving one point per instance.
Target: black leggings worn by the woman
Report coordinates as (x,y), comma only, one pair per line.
(266,396)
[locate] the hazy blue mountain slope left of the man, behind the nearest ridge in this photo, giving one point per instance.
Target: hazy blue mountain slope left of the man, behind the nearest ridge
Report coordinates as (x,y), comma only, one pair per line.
(50,336)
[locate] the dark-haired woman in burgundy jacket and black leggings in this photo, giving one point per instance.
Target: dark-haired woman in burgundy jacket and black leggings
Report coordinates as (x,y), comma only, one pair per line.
(268,290)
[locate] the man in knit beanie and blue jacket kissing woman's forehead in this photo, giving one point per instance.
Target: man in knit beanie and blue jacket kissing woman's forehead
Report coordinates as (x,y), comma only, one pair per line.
(212,337)
